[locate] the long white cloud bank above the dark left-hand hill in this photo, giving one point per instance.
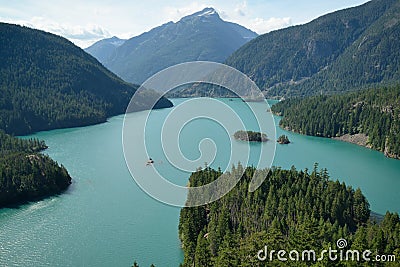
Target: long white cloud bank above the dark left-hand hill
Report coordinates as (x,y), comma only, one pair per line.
(82,36)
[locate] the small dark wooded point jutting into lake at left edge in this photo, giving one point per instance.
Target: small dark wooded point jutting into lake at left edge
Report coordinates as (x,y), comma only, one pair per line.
(26,174)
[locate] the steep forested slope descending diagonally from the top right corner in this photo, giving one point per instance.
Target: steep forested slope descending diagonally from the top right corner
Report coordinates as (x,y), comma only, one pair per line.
(374,58)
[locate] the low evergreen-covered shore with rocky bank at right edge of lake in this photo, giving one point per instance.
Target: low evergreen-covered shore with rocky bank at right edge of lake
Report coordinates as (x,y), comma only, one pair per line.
(373,112)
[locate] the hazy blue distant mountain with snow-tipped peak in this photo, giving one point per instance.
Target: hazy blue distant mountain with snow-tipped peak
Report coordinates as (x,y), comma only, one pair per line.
(200,36)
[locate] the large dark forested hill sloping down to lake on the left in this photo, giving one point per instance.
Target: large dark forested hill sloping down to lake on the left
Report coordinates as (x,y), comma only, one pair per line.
(46,82)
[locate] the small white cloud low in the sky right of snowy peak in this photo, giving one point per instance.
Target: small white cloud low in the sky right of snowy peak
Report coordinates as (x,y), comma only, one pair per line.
(262,26)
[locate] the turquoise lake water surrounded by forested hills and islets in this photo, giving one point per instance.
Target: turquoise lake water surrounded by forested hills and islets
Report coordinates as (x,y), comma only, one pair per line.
(105,219)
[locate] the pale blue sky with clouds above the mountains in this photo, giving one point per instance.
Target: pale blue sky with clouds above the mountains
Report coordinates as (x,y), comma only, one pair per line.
(85,22)
